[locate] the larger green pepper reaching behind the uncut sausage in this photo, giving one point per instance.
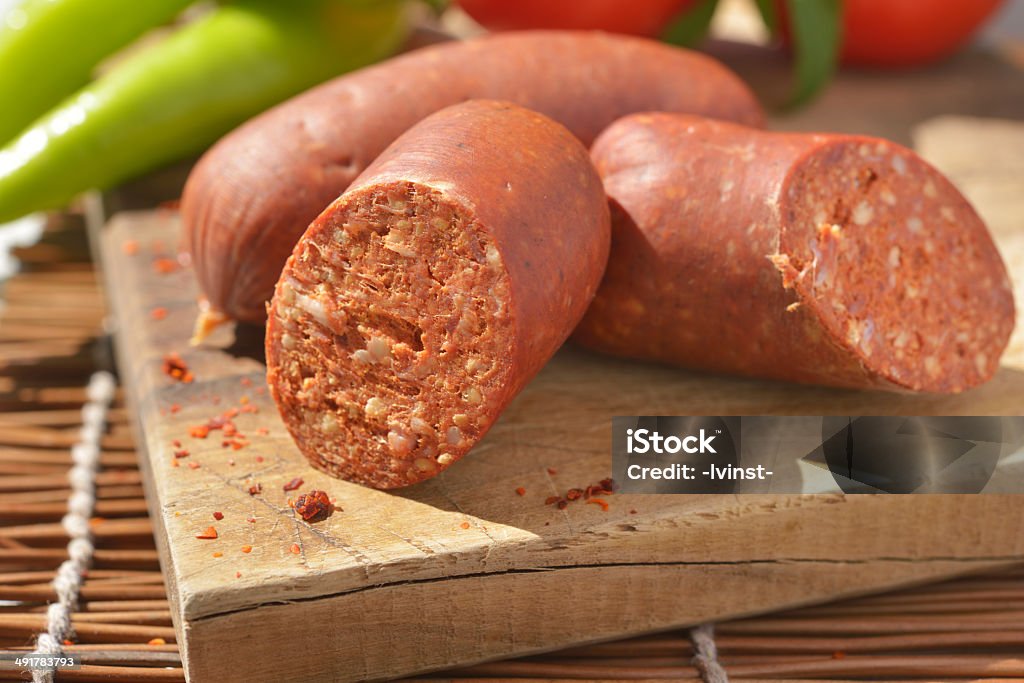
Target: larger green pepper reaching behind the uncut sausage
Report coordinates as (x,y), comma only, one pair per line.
(175,99)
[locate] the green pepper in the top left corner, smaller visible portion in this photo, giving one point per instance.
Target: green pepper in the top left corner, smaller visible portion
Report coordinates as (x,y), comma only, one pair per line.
(49,50)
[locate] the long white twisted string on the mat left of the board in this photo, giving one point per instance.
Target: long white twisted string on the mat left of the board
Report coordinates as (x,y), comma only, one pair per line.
(68,583)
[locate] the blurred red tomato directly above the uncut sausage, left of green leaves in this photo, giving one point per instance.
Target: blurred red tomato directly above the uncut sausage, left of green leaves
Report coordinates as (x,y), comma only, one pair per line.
(639,18)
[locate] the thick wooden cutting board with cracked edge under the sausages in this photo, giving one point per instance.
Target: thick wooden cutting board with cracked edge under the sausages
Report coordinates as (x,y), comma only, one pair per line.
(462,569)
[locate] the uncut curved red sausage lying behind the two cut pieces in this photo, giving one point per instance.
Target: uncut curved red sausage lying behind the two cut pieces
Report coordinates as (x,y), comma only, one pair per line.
(253,194)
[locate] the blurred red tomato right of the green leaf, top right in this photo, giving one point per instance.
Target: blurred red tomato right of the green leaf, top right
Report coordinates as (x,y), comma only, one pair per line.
(908,33)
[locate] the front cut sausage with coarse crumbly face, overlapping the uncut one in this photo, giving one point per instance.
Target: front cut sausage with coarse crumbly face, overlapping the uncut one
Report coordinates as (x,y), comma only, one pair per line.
(421,302)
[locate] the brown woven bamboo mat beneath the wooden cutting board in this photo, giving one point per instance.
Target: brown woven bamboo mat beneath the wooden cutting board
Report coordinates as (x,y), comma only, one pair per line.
(52,340)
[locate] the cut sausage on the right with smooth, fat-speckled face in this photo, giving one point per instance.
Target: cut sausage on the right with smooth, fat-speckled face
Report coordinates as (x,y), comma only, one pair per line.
(828,260)
